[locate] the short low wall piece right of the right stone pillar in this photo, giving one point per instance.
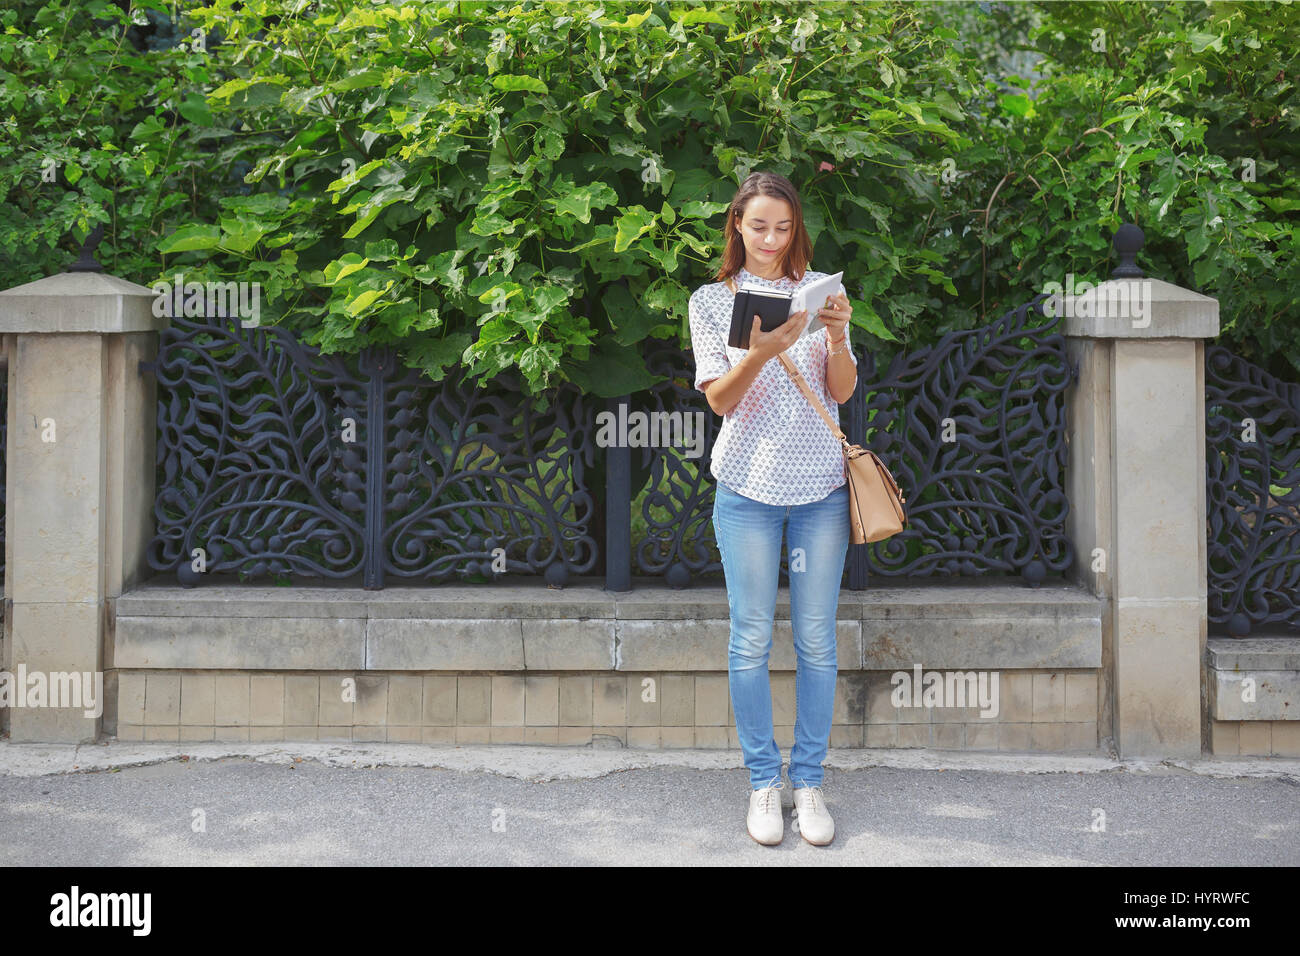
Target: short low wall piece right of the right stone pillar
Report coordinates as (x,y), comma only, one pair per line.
(1272,664)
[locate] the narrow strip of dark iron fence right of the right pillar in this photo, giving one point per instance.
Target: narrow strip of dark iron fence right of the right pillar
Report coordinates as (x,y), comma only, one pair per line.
(1253,496)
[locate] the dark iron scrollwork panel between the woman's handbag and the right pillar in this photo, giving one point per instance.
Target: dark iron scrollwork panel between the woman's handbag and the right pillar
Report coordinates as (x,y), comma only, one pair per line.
(974,430)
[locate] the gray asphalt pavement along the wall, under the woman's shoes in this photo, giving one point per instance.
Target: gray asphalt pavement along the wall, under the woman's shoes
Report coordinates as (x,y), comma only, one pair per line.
(339,806)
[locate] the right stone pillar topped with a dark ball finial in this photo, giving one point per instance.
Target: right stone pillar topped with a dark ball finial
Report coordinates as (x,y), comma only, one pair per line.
(1137,485)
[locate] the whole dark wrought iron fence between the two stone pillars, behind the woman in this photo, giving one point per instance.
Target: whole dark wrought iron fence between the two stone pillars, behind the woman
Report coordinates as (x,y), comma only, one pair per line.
(275,460)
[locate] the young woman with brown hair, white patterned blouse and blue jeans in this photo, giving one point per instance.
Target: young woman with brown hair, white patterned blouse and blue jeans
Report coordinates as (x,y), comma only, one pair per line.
(778,468)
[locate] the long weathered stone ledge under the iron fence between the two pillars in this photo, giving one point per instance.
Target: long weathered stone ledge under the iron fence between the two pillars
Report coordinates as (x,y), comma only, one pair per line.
(528,626)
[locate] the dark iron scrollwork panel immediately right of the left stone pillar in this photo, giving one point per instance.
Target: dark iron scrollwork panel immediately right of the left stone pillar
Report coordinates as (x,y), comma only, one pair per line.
(255,474)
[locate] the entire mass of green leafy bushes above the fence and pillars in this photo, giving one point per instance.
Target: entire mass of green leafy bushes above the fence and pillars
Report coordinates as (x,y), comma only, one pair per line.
(540,185)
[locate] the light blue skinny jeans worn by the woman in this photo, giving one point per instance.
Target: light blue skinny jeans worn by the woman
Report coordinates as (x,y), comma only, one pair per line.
(749,539)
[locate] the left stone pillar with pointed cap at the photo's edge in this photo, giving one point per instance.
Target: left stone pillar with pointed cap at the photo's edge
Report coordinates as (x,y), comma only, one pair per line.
(80,482)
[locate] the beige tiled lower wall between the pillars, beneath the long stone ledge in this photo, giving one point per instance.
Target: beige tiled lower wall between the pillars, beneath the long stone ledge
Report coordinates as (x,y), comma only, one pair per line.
(1039,711)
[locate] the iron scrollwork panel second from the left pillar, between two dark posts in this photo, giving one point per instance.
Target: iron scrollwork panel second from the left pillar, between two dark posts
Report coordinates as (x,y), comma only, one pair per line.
(475,469)
